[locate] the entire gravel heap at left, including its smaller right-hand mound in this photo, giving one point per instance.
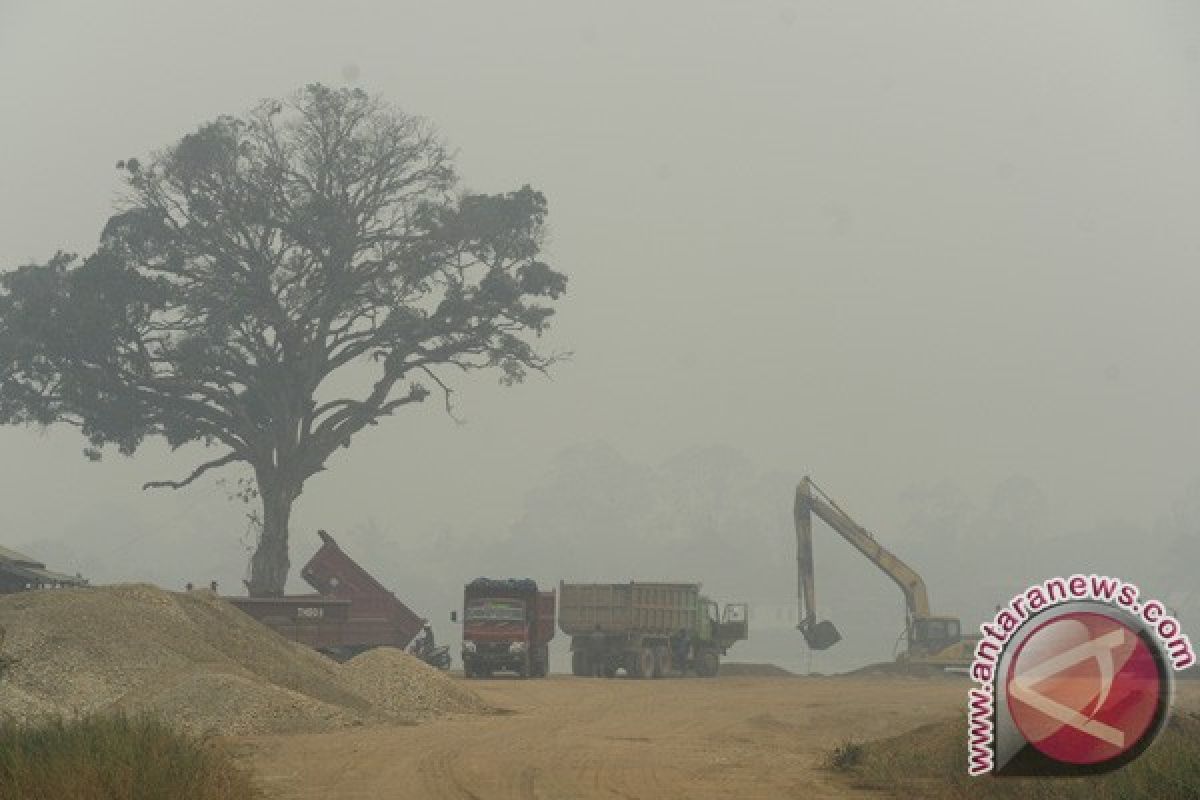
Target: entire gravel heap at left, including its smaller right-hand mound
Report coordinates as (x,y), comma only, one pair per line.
(201,663)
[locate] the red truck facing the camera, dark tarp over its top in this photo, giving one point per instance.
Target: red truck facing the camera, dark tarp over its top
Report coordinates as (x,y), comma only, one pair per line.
(508,625)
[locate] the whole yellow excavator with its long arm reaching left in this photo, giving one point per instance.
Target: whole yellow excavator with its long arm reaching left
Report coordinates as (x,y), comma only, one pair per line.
(935,642)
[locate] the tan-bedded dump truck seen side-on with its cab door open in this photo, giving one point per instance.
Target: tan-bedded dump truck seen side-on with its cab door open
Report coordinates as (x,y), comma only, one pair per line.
(647,630)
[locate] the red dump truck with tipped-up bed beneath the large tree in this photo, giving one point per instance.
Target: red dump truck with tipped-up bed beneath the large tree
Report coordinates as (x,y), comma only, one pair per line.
(351,612)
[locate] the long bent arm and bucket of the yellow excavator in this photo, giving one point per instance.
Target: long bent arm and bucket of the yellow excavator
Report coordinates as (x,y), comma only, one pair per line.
(812,501)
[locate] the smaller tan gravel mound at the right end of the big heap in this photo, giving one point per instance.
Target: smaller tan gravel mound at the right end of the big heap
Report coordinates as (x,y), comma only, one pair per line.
(398,682)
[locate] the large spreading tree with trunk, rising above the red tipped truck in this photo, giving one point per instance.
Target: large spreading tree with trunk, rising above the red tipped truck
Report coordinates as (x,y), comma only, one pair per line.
(251,263)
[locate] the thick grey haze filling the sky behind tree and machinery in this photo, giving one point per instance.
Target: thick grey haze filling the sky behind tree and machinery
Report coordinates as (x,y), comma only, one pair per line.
(943,258)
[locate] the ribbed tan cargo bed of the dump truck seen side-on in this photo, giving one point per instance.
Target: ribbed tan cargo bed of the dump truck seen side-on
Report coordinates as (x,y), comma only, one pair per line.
(628,607)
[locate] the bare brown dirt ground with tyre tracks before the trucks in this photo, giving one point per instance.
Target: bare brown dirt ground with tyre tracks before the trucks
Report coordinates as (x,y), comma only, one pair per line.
(573,738)
